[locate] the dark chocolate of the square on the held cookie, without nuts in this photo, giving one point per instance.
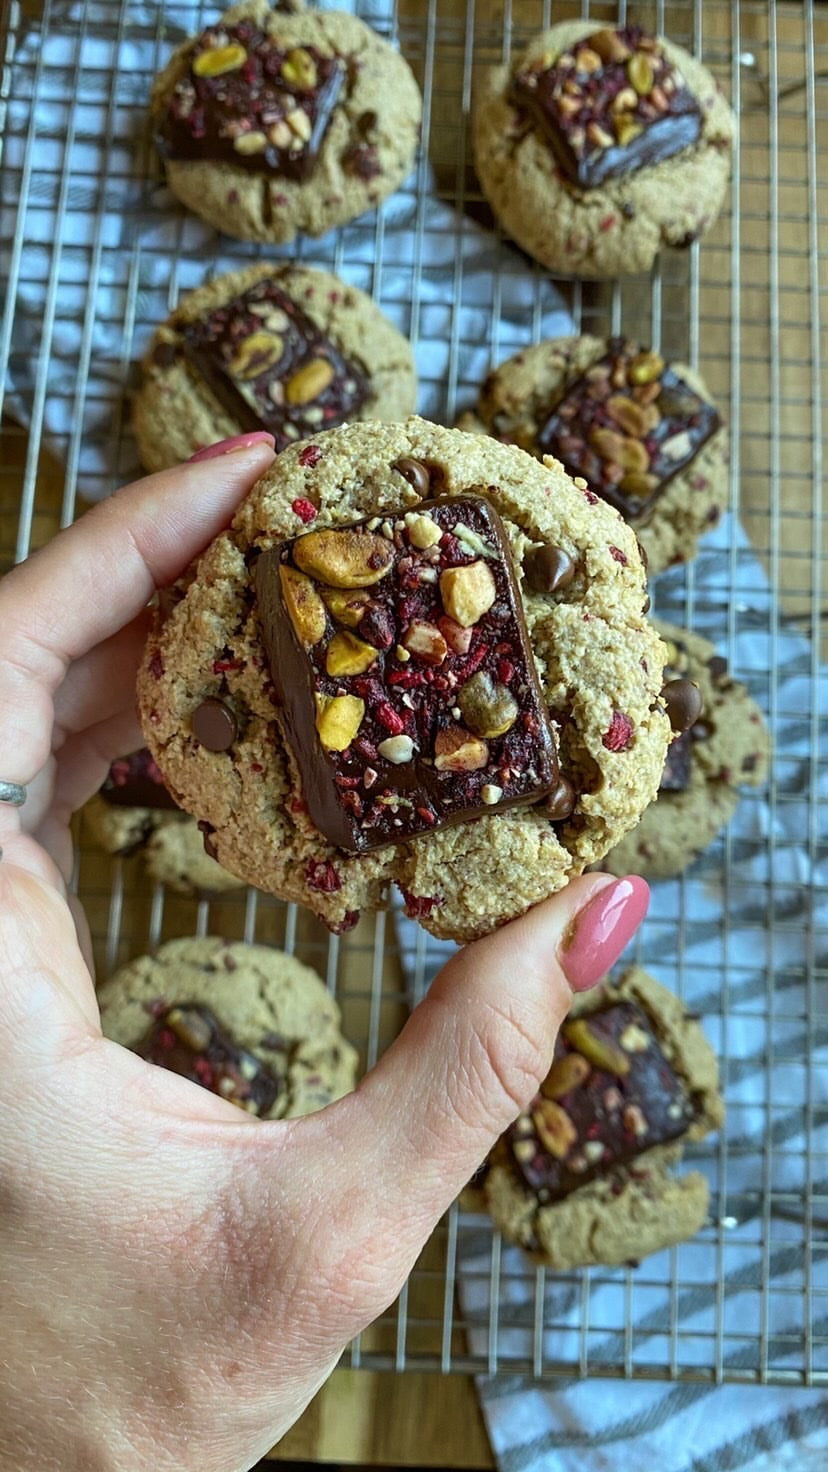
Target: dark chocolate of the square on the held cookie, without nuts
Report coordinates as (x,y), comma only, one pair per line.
(522,762)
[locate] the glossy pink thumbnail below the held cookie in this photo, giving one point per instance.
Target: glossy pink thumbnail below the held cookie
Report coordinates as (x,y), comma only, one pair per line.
(597,935)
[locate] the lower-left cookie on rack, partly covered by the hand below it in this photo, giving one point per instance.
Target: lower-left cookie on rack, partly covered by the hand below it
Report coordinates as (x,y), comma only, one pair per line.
(245,1021)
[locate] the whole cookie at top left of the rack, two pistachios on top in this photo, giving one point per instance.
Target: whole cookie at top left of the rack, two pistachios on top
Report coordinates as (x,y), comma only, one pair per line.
(275,124)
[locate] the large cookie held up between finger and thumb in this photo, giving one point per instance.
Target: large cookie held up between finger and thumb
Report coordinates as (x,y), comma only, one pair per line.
(599,666)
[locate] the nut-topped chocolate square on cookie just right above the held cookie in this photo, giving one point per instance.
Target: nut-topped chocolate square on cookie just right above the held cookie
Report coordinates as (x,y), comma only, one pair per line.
(628,426)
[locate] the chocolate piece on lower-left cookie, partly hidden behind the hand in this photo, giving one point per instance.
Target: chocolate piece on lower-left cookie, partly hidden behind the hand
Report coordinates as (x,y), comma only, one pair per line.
(188,1040)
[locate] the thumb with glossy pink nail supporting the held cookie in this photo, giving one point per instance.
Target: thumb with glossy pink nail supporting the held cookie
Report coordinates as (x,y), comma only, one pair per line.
(475,1052)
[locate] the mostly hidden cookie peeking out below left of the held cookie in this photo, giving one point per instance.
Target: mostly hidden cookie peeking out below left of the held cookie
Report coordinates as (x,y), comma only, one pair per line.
(133,812)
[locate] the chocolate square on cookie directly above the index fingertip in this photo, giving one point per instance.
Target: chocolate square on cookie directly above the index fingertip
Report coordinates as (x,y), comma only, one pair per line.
(272,369)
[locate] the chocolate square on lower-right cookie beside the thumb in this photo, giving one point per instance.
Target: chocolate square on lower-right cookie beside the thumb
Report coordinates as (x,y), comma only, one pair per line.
(611,1096)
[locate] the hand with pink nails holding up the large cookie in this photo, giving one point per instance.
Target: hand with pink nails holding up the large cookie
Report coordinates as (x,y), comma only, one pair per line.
(179,1278)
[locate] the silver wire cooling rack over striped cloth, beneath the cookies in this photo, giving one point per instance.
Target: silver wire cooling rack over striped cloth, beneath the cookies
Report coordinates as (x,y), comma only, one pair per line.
(95,254)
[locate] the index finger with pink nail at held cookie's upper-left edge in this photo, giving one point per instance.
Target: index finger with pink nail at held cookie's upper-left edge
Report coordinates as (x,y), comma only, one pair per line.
(95,578)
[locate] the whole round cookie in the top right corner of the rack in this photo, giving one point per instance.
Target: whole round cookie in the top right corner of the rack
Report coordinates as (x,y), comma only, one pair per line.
(599,148)
